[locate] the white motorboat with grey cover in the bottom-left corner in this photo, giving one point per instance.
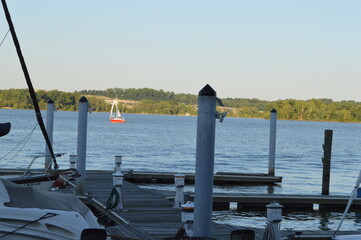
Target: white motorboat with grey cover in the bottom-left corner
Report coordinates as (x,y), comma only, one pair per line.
(30,214)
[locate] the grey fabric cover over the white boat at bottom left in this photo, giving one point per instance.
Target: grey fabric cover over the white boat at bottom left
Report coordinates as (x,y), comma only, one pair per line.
(28,197)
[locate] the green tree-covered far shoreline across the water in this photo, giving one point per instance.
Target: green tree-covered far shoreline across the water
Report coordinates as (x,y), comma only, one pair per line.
(150,101)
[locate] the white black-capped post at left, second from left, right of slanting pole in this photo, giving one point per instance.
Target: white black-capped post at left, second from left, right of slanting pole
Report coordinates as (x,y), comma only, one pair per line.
(81,144)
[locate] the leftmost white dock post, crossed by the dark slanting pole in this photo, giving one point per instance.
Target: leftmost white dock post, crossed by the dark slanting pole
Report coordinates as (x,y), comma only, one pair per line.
(49,130)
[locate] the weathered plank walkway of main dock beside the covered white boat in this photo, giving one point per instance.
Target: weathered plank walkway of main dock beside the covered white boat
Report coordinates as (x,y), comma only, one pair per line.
(147,214)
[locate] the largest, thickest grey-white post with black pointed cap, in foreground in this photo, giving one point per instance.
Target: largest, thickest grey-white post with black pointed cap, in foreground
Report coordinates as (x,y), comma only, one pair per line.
(204,162)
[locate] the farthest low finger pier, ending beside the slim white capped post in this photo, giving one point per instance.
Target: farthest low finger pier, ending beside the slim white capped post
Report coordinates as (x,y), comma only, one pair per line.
(220,178)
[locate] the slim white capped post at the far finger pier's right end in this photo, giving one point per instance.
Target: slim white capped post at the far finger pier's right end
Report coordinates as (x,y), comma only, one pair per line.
(272,143)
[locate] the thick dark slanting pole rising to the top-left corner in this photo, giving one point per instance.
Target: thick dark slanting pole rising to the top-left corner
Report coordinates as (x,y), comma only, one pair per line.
(28,81)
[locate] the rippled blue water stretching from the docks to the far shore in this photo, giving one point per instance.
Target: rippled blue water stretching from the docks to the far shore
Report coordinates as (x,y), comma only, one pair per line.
(167,143)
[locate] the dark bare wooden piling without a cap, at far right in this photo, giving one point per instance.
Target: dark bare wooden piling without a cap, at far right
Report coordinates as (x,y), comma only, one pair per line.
(326,160)
